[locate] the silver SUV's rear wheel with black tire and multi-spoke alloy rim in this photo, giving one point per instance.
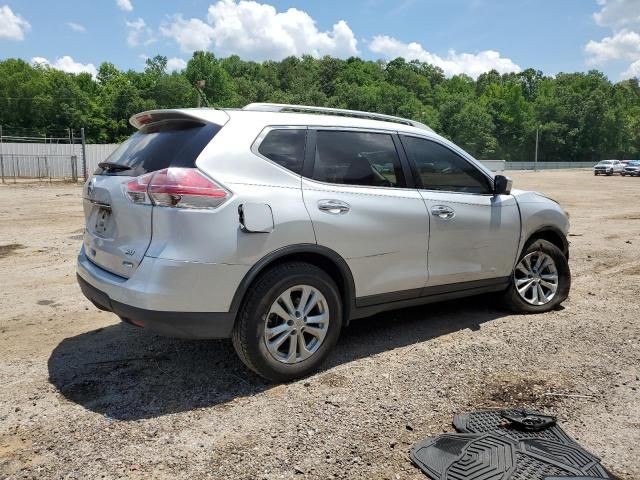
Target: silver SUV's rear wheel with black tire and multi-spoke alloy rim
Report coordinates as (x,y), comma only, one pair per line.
(289,322)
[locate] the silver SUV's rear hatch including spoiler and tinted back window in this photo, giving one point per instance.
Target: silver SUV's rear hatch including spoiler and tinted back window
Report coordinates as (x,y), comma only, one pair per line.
(118,230)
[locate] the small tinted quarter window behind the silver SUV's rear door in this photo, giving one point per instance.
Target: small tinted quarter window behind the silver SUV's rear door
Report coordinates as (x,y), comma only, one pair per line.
(285,147)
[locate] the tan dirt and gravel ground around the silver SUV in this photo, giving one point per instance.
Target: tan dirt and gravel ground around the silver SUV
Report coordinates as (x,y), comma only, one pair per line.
(84,396)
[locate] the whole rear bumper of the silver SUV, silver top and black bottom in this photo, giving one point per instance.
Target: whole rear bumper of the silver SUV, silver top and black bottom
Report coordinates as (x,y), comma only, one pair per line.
(176,299)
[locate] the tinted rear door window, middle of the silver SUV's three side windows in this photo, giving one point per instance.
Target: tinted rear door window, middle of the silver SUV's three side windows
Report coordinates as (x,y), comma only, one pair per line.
(357,158)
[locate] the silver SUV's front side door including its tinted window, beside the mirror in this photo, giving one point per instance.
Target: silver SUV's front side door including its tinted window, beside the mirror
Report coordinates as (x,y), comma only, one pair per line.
(474,234)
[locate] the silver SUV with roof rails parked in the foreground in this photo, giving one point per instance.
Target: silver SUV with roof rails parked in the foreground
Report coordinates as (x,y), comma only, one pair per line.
(276,225)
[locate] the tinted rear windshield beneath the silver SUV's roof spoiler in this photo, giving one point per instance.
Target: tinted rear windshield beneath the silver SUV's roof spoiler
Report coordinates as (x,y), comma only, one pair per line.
(169,143)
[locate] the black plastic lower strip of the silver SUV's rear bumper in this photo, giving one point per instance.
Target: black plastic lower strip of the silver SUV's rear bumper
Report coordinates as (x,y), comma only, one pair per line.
(171,324)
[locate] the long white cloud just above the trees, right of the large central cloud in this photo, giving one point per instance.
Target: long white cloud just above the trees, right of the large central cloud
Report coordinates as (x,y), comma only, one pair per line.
(453,64)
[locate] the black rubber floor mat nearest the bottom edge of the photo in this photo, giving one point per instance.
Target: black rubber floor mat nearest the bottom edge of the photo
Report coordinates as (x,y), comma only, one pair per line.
(493,456)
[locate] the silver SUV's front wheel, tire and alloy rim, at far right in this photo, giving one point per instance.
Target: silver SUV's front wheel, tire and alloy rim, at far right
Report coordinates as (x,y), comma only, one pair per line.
(541,280)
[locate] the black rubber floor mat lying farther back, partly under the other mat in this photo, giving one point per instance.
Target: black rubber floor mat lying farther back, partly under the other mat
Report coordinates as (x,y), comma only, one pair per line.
(489,421)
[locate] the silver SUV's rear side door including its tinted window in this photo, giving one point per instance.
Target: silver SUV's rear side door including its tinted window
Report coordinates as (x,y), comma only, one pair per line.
(355,191)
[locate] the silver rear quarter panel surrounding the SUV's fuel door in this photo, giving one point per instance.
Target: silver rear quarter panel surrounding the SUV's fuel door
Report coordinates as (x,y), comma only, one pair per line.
(216,236)
